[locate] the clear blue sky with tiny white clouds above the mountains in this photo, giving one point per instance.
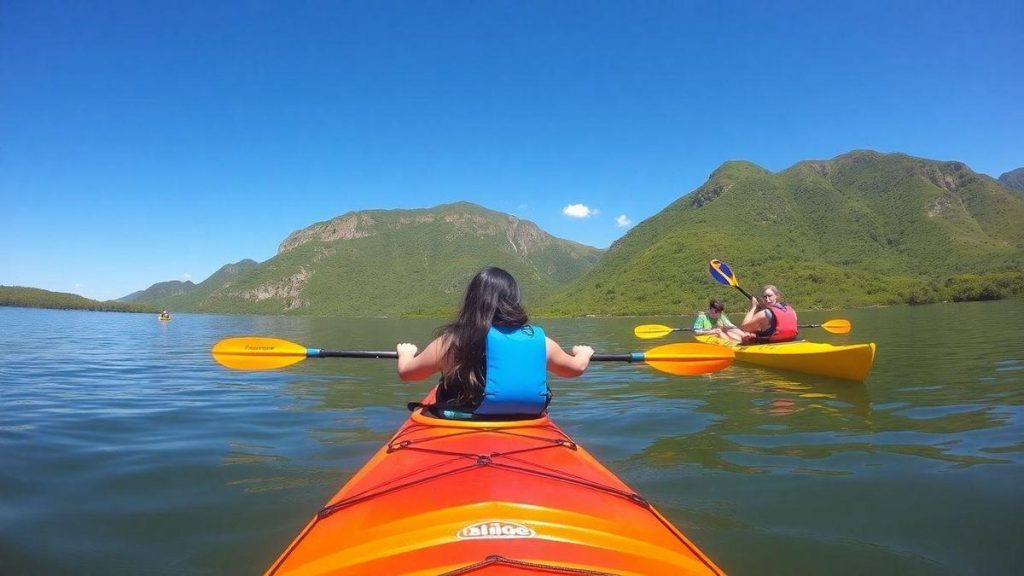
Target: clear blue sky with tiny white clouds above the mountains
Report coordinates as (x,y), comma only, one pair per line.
(151,141)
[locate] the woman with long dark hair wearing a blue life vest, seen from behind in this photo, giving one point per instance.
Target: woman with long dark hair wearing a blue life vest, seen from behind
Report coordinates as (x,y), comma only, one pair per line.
(493,362)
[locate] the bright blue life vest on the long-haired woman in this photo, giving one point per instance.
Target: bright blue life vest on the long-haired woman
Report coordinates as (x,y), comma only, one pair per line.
(518,373)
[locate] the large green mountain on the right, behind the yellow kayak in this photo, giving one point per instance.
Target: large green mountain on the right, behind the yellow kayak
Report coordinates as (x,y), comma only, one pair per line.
(863,229)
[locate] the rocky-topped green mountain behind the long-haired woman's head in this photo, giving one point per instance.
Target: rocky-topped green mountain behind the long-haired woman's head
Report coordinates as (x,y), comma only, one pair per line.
(382,263)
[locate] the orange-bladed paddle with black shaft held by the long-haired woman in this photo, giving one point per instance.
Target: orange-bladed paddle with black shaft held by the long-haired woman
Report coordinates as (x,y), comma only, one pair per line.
(254,353)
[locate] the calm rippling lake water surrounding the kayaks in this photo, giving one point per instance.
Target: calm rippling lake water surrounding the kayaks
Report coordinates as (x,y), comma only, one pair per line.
(124,449)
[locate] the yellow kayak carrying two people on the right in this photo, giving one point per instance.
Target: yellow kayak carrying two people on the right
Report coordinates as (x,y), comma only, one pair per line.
(851,362)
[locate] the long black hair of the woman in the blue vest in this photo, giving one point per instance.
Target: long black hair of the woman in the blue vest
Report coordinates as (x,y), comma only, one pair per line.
(493,299)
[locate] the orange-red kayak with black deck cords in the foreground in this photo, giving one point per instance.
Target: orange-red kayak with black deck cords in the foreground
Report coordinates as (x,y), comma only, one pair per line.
(486,499)
